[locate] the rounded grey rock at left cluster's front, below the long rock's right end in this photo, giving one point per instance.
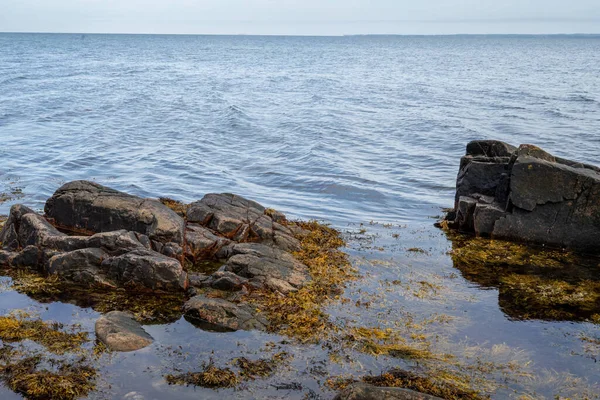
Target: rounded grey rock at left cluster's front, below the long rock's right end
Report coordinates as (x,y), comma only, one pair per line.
(145,269)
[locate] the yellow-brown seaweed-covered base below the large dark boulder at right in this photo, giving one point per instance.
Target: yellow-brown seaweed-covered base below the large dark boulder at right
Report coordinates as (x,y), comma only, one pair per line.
(533,282)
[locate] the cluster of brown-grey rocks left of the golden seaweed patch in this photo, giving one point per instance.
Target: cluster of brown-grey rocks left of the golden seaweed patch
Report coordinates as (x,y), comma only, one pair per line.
(97,237)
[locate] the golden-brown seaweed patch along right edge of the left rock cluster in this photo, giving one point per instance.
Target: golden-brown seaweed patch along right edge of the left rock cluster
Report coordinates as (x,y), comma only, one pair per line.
(300,315)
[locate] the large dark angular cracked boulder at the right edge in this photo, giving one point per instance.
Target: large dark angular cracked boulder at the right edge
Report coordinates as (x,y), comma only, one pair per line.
(527,194)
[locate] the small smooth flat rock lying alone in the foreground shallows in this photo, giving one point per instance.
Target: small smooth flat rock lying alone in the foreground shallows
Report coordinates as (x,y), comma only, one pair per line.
(120,332)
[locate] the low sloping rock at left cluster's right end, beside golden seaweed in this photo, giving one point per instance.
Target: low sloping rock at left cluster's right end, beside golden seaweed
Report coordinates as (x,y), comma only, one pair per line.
(260,262)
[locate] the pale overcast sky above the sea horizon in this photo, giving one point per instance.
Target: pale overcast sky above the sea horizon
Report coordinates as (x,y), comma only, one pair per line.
(301,17)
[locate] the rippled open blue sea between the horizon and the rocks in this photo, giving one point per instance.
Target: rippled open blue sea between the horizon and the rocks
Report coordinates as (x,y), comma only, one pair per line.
(343,128)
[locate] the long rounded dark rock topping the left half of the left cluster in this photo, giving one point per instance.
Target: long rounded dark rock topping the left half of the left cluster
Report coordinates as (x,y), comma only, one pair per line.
(92,208)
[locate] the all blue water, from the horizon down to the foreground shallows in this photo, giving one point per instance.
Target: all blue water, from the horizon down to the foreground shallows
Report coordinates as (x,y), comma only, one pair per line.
(348,129)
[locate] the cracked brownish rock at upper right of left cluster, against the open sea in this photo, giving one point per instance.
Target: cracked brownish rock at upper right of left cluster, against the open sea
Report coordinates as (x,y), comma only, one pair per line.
(242,220)
